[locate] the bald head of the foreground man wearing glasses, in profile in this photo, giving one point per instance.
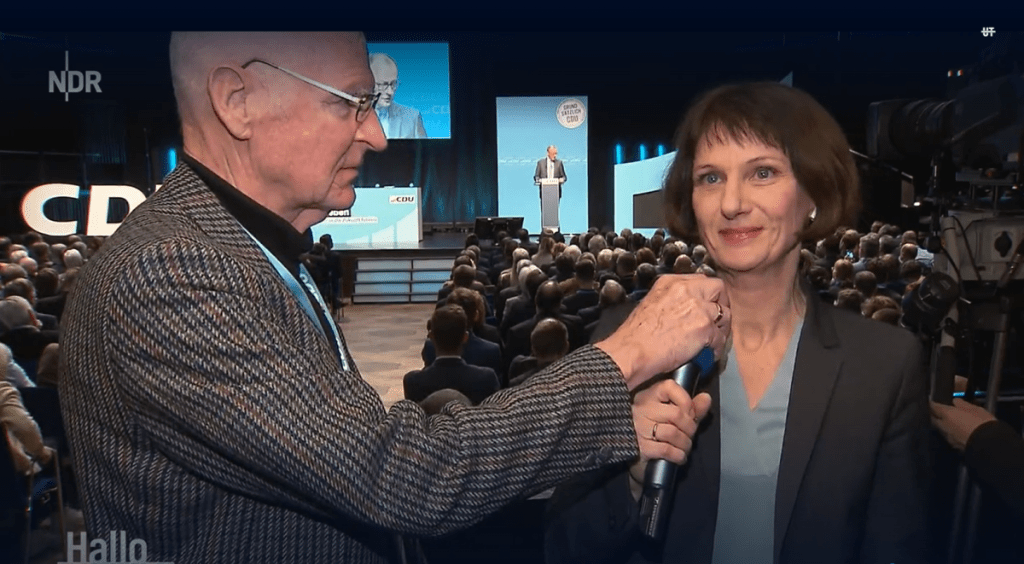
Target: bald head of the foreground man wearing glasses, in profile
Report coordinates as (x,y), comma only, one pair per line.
(283,117)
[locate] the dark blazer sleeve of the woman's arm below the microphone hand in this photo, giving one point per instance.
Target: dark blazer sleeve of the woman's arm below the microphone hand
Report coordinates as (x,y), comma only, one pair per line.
(592,518)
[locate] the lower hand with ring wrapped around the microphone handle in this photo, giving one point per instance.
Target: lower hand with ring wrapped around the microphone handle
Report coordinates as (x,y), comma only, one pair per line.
(666,421)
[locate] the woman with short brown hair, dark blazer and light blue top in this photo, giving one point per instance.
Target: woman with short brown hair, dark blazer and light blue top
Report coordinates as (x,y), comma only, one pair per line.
(815,450)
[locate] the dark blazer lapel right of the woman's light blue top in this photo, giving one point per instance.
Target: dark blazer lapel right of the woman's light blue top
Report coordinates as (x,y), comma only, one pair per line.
(819,363)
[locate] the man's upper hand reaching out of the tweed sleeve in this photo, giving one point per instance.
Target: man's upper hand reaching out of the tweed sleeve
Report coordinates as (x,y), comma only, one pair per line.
(678,318)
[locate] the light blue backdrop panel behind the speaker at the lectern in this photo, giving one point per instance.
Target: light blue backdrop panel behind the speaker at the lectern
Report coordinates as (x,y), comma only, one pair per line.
(526,127)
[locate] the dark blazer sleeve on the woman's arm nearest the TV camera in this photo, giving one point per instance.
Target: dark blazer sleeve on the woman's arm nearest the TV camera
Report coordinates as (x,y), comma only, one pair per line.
(898,522)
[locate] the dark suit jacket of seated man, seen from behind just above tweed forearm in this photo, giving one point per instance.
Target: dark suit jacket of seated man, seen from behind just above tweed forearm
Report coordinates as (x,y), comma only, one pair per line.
(476,382)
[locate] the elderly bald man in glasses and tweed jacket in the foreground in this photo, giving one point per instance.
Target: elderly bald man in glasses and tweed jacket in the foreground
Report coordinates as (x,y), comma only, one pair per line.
(214,409)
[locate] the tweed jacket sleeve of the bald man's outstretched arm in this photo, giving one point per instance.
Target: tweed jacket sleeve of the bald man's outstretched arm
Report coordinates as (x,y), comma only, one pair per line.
(226,374)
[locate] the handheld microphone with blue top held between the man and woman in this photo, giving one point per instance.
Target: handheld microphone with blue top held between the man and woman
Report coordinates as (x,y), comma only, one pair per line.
(660,478)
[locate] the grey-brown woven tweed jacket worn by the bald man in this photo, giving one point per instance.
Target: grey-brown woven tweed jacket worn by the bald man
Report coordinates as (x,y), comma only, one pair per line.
(210,418)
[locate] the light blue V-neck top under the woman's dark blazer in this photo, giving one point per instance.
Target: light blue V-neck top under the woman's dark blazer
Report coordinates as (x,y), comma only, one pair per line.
(752,448)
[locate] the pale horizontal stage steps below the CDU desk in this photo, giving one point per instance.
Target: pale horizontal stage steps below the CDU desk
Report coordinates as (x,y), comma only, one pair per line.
(401,280)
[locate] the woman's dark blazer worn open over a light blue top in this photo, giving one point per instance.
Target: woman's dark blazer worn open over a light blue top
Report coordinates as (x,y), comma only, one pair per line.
(852,480)
